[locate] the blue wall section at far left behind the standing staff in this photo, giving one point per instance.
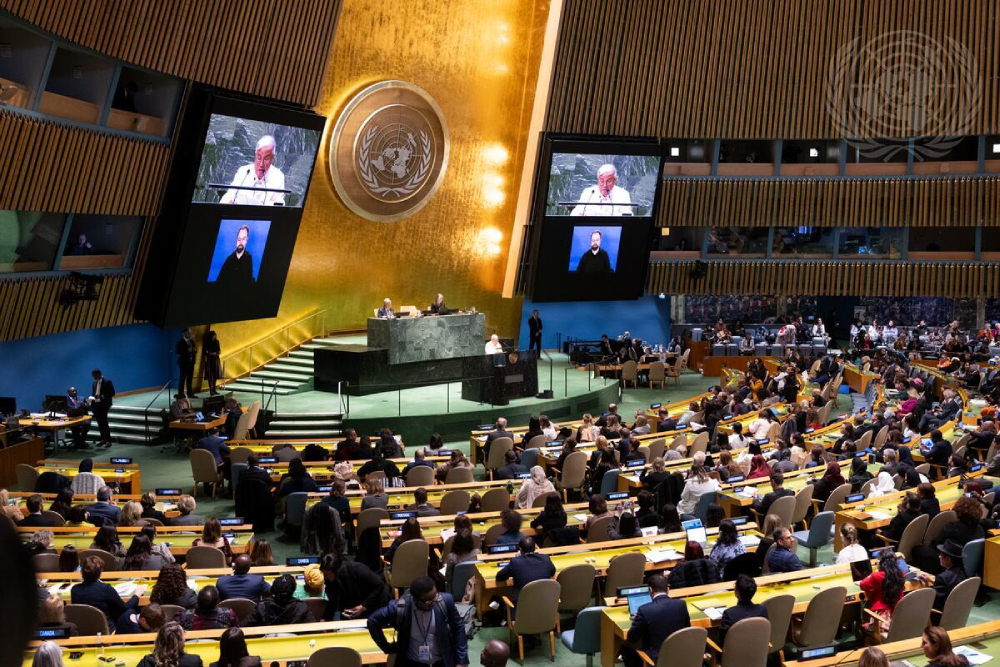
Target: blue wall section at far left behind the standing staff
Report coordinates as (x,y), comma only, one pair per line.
(134,357)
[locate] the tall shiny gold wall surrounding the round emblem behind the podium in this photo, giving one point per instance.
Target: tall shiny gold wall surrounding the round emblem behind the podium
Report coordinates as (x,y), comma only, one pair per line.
(479,60)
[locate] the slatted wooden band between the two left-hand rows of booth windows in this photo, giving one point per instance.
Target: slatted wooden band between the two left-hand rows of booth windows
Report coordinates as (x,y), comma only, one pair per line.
(60,168)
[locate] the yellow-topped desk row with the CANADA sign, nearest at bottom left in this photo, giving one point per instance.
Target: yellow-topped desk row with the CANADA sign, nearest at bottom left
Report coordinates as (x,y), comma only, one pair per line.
(305,639)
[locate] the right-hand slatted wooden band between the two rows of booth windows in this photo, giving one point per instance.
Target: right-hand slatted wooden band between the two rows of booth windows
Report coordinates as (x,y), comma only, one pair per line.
(960,201)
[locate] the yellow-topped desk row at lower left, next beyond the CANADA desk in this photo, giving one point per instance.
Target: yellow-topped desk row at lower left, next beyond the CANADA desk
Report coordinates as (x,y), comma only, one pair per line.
(141,582)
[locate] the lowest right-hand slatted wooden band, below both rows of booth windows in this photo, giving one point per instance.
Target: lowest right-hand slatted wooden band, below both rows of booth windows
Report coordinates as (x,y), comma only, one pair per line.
(828,278)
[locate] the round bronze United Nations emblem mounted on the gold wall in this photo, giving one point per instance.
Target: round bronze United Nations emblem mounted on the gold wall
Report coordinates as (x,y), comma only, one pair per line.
(389,151)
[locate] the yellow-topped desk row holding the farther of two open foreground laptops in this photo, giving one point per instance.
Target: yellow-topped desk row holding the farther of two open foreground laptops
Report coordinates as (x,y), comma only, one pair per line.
(662,553)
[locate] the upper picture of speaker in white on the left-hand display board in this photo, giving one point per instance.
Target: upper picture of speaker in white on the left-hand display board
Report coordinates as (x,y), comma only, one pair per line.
(255,163)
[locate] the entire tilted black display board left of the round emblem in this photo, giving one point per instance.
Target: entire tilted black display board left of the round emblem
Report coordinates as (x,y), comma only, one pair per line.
(234,202)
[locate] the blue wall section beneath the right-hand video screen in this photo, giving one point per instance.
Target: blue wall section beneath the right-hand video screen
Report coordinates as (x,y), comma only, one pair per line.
(647,318)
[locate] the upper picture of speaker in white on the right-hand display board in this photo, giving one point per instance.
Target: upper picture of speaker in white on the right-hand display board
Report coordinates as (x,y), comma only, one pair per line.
(602,185)
